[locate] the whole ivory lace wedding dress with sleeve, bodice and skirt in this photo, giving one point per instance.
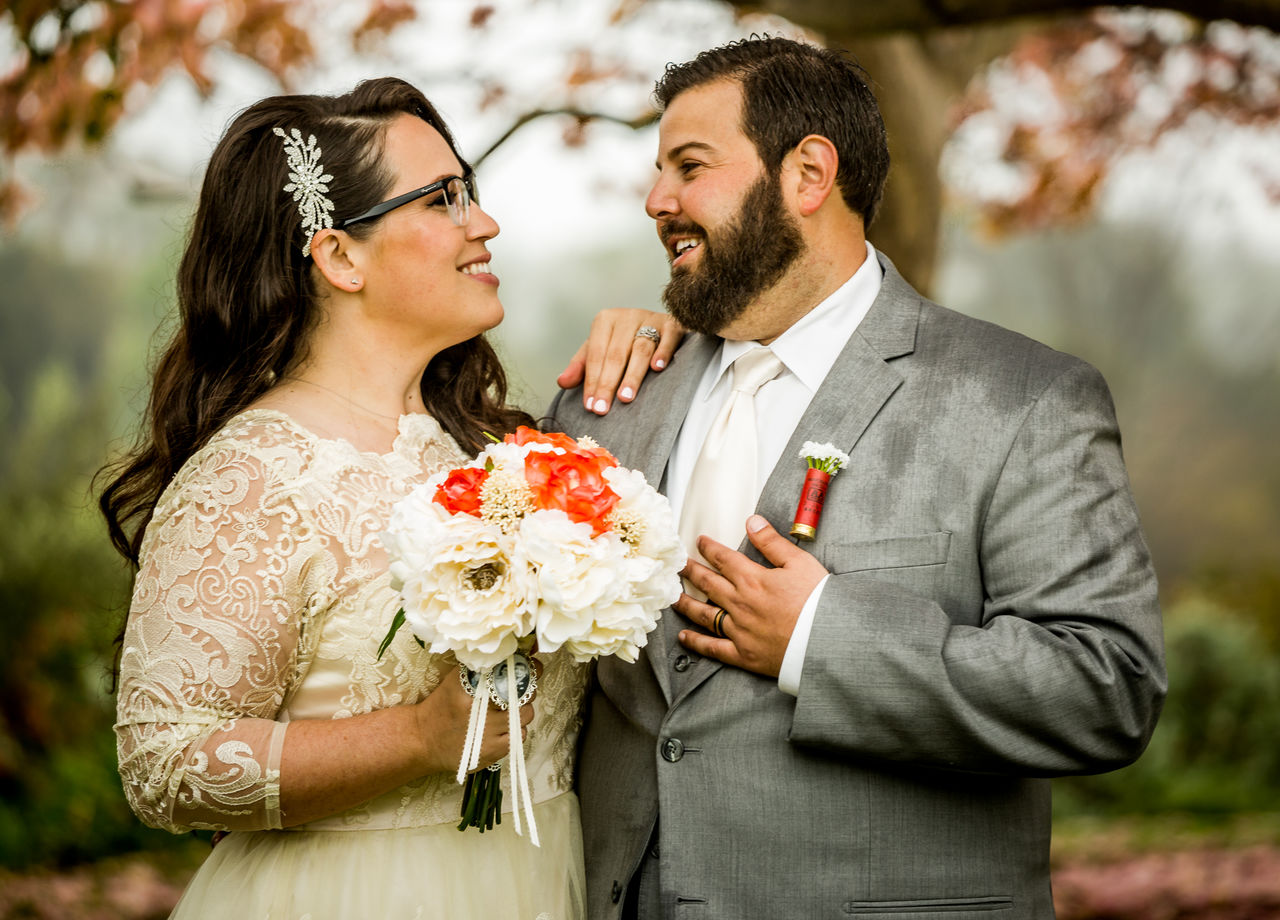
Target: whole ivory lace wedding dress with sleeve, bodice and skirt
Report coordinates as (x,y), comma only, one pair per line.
(262,599)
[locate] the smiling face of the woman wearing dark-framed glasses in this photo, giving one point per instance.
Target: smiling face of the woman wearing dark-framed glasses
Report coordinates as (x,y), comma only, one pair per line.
(426,273)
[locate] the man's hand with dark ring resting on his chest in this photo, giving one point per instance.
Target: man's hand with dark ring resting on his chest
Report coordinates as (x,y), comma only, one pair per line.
(761,605)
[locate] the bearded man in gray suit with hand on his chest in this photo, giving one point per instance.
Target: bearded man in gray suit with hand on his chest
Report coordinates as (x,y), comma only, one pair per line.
(862,725)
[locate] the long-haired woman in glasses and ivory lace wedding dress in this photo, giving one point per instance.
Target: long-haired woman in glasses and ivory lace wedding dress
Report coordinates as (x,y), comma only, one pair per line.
(331,358)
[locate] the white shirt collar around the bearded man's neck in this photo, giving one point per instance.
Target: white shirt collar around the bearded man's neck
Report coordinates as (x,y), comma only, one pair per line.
(813,344)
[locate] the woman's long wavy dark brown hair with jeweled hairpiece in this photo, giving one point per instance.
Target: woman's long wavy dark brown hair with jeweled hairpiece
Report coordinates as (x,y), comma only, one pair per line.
(248,303)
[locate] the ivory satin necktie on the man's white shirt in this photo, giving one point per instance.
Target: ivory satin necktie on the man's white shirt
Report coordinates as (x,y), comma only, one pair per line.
(723,487)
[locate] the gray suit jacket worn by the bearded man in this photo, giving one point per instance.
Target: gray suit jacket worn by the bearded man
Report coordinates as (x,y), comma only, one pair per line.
(991,621)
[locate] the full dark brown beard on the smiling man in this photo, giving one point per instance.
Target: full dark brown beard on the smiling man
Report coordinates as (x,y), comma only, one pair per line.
(744,260)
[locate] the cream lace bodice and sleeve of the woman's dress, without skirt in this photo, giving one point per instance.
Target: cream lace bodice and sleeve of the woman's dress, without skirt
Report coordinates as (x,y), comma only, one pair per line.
(262,598)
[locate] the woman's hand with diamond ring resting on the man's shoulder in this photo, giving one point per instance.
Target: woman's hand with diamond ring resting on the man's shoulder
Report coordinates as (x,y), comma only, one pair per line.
(616,358)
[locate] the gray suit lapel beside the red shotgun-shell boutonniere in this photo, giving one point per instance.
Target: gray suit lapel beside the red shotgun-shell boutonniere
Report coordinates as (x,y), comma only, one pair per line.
(858,386)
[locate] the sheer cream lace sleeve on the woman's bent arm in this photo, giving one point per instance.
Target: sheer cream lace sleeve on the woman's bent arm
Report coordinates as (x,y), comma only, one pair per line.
(230,570)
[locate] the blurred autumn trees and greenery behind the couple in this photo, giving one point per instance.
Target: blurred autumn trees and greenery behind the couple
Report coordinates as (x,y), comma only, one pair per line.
(1110,184)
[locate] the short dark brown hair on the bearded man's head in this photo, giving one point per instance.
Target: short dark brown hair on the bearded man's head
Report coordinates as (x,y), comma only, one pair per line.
(792,90)
